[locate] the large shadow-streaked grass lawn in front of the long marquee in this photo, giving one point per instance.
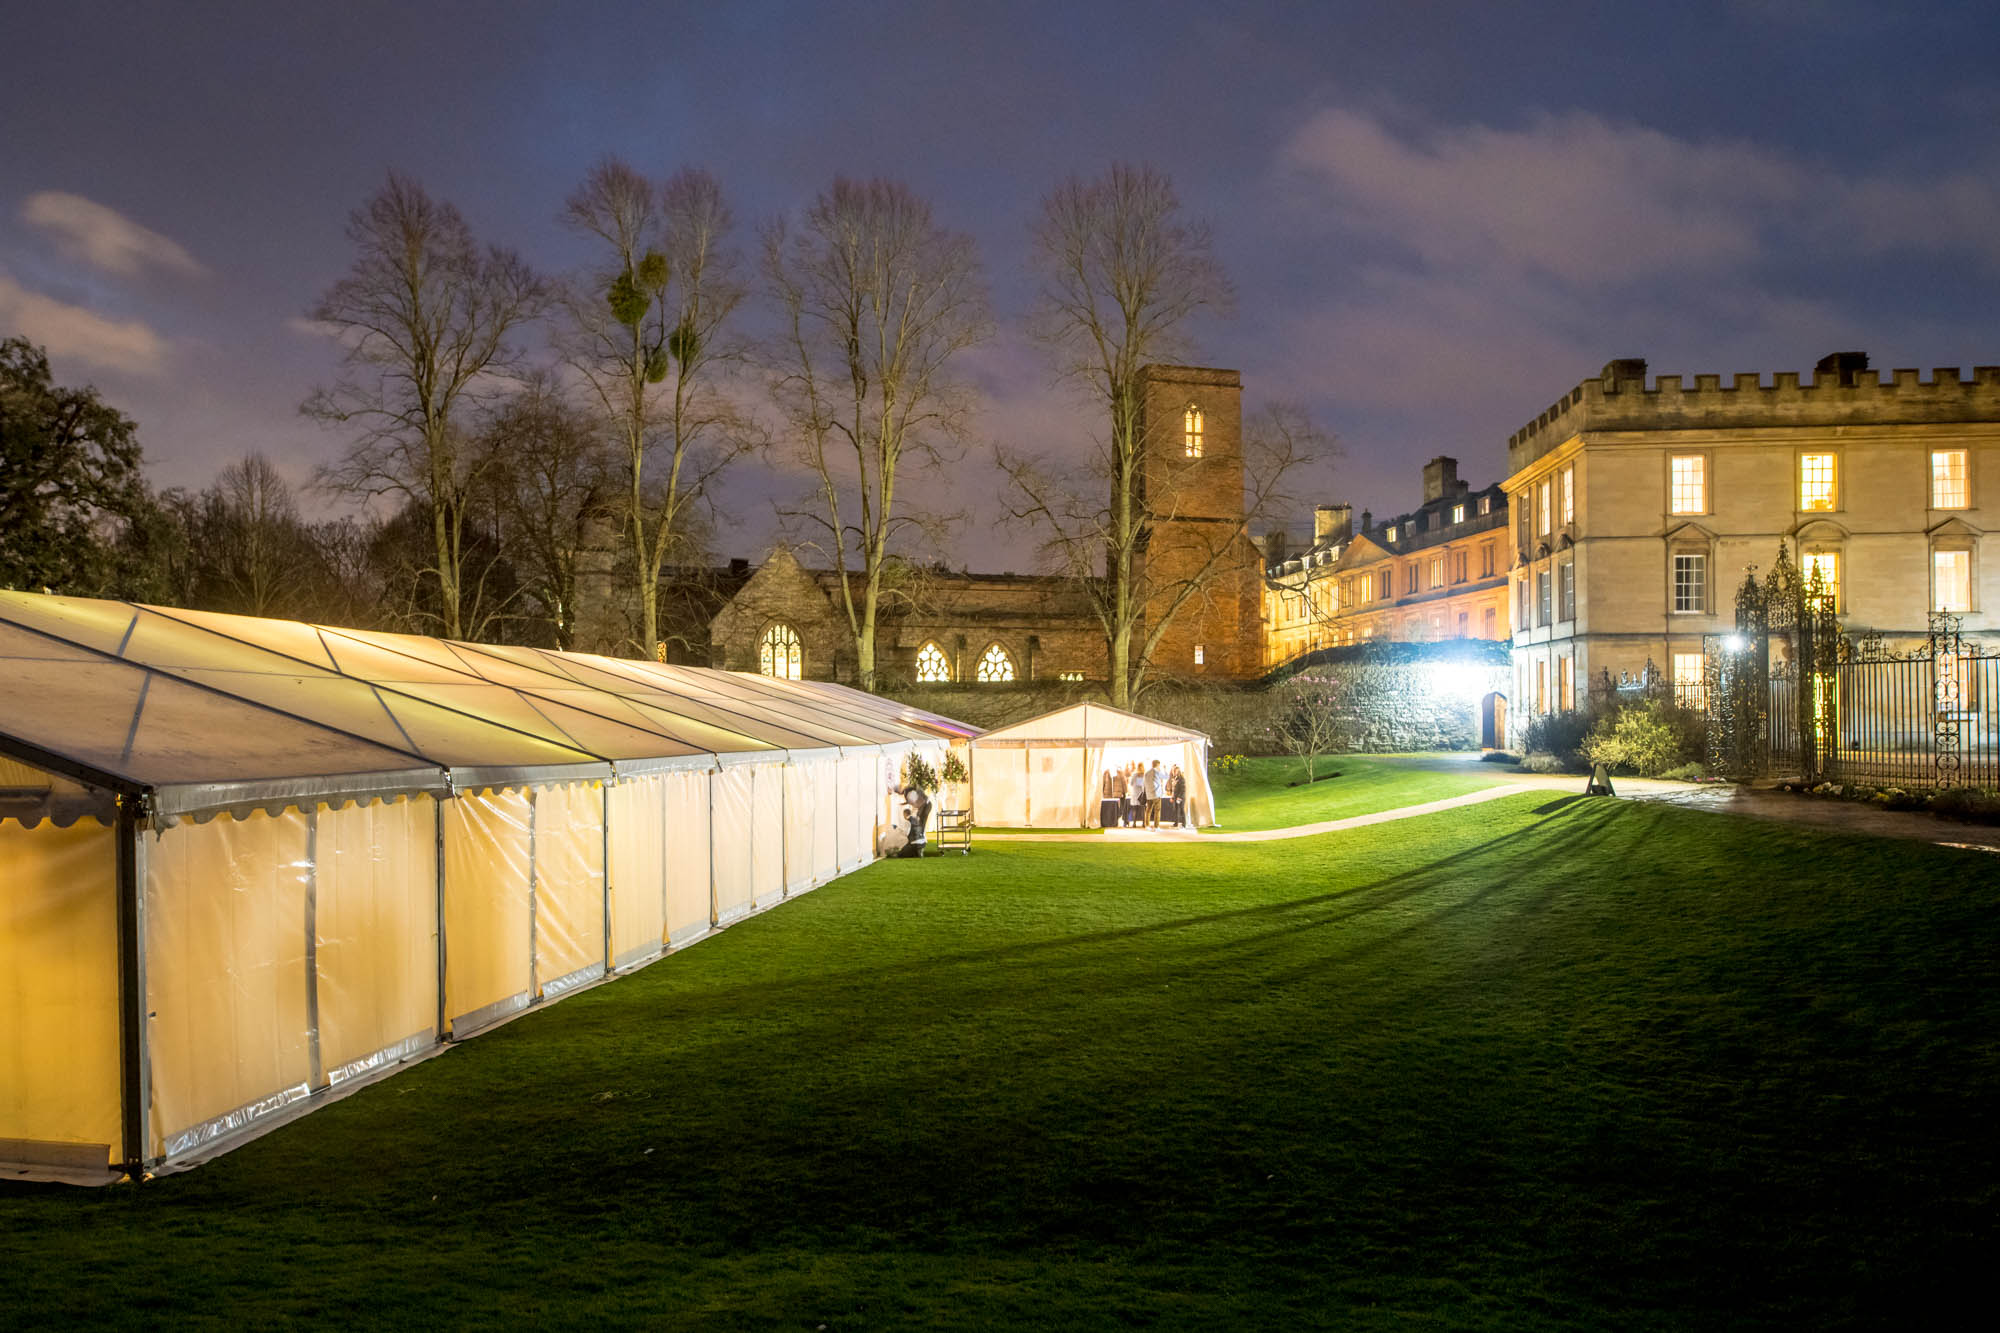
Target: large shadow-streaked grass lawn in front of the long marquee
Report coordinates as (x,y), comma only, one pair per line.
(1535,1062)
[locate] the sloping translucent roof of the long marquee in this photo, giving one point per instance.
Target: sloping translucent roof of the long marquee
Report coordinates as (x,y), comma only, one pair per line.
(209,700)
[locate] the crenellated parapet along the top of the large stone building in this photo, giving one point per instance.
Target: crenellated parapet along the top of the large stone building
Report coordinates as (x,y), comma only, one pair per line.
(1843,391)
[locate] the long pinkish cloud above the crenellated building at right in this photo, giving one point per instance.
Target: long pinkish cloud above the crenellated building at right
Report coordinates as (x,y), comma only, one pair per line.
(1591,203)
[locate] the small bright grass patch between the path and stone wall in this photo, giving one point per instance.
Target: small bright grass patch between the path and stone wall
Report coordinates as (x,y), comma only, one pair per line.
(1257,796)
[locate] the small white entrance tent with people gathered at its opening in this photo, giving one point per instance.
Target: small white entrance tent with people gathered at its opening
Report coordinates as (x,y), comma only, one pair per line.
(1047,774)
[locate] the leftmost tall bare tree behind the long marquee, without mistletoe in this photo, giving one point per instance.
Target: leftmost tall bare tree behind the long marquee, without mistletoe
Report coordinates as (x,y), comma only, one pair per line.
(427,321)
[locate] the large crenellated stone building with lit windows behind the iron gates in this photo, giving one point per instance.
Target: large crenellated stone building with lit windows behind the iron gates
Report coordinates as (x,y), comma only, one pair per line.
(1641,505)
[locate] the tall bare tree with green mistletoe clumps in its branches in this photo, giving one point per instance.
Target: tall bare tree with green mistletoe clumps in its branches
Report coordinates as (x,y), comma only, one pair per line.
(647,333)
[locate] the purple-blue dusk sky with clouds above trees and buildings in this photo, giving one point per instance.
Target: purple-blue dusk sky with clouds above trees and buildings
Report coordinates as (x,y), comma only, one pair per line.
(1437,217)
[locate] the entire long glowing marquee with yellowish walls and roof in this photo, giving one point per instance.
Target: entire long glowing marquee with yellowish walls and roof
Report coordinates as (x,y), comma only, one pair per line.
(249,862)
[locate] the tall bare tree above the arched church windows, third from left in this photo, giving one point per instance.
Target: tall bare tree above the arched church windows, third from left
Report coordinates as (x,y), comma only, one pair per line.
(875,301)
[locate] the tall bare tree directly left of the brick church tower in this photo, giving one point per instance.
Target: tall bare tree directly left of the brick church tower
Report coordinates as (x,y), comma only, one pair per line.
(1121,277)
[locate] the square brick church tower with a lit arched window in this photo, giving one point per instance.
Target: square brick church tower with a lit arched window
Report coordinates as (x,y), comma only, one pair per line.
(1193,487)
